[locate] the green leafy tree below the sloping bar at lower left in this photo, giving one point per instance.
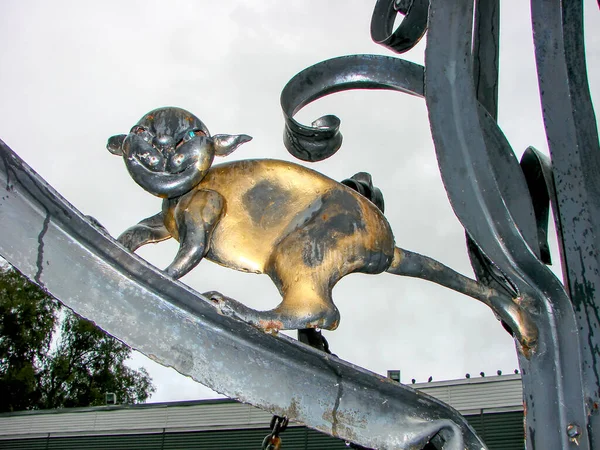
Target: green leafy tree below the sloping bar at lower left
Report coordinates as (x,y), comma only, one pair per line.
(51,358)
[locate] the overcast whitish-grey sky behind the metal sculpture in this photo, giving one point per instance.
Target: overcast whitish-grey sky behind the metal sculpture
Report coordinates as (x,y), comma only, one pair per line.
(75,73)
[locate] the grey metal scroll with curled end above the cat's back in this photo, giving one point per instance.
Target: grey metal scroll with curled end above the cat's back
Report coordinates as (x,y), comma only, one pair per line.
(323,139)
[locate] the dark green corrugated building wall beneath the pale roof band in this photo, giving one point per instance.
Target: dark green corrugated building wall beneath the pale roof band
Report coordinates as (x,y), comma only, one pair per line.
(502,431)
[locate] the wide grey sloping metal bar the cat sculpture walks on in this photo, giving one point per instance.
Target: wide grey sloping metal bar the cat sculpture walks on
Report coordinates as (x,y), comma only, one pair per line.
(49,241)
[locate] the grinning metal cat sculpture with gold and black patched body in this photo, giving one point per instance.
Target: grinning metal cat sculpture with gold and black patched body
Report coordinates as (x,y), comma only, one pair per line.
(301,228)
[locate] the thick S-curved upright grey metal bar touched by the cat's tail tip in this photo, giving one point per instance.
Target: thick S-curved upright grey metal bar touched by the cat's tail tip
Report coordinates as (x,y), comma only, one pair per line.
(476,198)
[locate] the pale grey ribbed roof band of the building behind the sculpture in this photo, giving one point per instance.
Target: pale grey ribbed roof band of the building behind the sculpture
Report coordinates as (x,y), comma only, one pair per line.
(469,396)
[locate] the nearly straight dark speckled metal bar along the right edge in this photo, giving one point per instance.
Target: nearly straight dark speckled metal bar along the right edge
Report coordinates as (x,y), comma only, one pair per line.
(572,133)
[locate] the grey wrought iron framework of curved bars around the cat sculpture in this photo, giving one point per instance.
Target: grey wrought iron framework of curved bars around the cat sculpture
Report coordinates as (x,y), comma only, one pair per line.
(502,204)
